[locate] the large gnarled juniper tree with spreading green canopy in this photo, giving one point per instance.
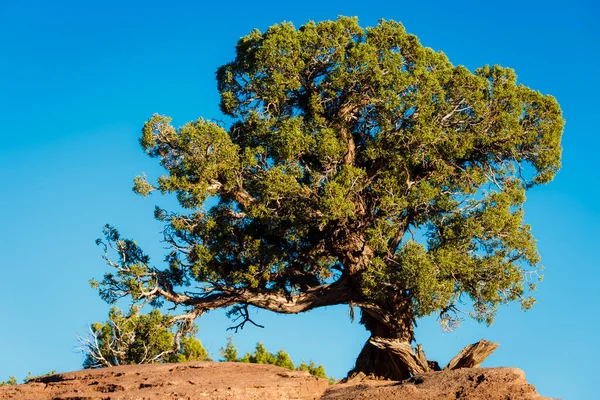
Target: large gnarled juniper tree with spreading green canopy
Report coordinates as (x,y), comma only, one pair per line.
(357,167)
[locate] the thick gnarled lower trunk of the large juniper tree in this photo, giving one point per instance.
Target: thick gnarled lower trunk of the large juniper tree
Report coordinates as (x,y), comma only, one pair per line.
(380,361)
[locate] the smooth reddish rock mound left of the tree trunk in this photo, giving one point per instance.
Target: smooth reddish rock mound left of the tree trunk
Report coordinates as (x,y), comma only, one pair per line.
(195,380)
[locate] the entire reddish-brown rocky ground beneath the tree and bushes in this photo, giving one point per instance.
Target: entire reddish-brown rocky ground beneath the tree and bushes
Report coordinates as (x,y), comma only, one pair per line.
(207,380)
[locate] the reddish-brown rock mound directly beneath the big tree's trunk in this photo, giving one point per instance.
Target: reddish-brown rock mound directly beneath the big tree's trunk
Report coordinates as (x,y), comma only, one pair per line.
(467,383)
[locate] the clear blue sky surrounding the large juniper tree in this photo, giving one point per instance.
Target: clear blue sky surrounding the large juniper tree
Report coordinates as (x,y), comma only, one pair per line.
(78,79)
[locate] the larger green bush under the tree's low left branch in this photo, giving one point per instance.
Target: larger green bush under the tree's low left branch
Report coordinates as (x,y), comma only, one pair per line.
(136,338)
